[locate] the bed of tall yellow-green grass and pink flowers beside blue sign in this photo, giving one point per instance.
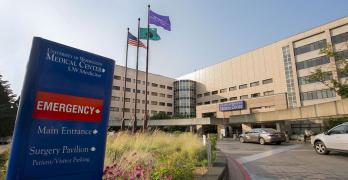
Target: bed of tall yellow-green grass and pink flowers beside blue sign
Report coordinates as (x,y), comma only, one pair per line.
(154,155)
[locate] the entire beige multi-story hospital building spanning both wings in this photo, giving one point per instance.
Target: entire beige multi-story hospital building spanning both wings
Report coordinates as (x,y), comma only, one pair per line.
(270,78)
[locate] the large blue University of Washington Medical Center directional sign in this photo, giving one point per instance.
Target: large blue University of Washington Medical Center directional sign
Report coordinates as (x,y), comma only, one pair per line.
(60,130)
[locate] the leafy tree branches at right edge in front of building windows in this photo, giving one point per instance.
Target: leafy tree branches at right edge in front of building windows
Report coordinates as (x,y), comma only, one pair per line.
(341,87)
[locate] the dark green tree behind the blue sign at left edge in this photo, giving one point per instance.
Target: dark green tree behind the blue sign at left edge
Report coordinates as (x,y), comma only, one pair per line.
(8,108)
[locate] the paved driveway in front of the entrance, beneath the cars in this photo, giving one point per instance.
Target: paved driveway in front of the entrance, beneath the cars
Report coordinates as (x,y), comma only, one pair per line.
(286,161)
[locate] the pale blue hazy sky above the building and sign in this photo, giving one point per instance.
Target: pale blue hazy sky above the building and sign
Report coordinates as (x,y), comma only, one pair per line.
(204,32)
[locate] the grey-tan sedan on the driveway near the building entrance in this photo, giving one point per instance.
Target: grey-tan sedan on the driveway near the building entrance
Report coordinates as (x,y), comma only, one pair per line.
(263,136)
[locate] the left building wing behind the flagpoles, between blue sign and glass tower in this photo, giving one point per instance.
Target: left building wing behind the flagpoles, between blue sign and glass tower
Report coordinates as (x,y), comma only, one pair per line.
(160,94)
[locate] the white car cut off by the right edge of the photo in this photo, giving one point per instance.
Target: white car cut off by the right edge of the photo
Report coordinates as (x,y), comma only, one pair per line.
(336,139)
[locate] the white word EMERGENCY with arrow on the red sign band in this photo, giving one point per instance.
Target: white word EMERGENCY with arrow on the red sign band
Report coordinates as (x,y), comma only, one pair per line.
(69,108)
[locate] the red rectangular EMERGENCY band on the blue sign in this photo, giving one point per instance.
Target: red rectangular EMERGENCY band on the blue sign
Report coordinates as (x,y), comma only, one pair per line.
(54,106)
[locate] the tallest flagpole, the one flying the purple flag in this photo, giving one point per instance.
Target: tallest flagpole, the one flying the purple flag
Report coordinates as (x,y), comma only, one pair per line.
(147,69)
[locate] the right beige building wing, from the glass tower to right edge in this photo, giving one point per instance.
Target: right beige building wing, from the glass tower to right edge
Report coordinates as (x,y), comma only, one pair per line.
(275,76)
